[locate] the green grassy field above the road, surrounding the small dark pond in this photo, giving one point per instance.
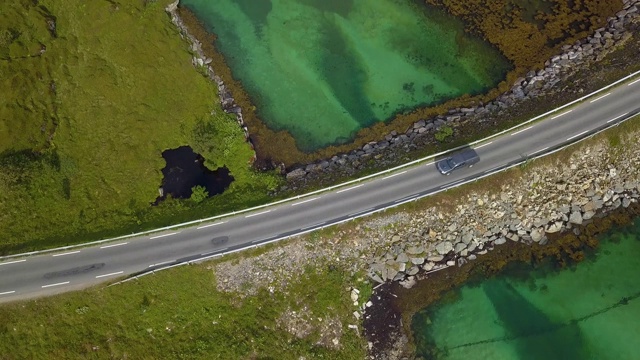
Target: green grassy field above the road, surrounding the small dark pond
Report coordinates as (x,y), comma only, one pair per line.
(93,92)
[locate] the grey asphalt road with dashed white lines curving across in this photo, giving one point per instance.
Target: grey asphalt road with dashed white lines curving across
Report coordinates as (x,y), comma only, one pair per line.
(50,273)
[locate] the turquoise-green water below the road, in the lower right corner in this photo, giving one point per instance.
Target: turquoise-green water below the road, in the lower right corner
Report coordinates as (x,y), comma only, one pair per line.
(590,311)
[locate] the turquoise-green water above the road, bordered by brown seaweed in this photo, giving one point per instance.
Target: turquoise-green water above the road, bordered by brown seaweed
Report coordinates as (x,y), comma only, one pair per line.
(323,69)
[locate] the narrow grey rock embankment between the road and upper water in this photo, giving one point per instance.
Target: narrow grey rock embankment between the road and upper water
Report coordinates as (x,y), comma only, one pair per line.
(620,28)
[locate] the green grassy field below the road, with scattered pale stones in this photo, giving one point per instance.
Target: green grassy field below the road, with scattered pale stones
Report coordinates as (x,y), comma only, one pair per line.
(179,314)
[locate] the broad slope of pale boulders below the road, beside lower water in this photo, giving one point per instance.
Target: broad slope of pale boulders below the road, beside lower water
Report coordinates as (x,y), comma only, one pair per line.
(552,199)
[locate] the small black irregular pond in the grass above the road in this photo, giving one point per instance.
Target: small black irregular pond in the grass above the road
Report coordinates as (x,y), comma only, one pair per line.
(185,169)
